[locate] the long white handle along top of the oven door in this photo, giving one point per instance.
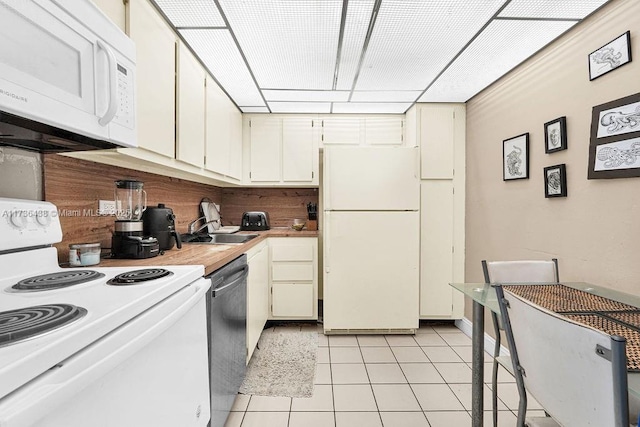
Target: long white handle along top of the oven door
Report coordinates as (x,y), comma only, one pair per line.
(60,383)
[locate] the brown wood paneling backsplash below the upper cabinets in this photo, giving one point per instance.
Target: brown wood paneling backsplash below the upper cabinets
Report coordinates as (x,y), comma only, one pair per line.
(75,186)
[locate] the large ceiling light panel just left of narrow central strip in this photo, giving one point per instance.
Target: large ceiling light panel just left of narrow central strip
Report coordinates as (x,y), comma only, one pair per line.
(289,44)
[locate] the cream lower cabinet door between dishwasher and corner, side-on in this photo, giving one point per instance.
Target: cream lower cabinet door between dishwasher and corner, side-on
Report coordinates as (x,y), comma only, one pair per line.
(257,294)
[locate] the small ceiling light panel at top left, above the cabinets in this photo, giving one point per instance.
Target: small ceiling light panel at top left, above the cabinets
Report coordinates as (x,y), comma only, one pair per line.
(191,13)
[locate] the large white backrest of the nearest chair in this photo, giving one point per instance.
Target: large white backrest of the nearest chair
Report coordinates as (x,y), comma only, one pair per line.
(577,373)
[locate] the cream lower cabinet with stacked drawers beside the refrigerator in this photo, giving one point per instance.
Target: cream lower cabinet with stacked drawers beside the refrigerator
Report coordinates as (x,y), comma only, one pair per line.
(294,278)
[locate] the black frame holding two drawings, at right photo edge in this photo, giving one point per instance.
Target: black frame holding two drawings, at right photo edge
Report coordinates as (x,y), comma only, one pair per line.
(614,146)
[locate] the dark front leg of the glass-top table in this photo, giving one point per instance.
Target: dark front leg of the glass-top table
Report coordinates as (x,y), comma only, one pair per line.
(477,366)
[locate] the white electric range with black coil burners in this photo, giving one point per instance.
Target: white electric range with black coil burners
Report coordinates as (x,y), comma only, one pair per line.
(103,346)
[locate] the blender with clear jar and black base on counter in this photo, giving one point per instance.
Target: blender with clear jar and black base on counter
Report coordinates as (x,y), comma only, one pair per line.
(128,240)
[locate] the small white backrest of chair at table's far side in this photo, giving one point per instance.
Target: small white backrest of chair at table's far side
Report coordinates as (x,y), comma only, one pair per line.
(520,271)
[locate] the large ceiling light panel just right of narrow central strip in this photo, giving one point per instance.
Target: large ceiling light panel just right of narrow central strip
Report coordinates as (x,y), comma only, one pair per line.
(413,40)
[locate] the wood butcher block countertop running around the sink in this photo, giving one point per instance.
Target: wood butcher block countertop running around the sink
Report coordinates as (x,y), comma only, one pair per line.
(211,256)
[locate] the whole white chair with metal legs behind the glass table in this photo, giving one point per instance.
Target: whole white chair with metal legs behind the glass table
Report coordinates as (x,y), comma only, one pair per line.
(533,271)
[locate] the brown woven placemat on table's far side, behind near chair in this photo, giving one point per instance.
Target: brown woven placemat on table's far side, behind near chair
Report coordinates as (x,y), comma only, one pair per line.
(563,299)
